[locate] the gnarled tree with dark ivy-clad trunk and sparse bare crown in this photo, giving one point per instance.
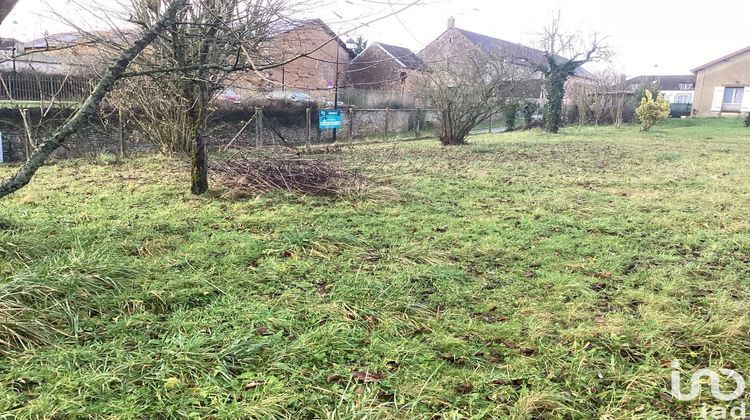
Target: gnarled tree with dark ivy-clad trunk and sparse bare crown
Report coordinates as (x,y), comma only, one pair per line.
(564,54)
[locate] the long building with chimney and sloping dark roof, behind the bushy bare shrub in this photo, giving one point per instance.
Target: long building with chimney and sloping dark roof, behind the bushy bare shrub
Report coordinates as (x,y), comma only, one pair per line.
(454,42)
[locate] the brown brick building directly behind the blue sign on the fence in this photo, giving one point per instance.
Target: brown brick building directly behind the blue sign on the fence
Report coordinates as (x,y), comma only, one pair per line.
(311,57)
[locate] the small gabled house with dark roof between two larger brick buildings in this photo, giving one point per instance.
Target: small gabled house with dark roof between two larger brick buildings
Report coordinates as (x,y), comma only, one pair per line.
(383,66)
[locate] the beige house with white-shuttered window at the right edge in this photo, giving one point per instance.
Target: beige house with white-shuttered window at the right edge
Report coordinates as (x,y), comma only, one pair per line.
(722,87)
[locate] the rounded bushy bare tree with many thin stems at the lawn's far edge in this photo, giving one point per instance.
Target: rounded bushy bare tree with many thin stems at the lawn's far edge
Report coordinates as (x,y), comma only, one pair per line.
(467,91)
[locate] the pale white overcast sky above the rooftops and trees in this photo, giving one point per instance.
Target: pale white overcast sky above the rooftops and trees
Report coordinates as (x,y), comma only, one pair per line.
(648,36)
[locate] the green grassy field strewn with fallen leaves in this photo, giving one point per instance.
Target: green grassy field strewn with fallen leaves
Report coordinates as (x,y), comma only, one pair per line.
(521,276)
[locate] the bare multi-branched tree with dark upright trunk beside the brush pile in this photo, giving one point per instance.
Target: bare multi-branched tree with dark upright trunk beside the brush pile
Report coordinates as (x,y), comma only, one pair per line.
(211,40)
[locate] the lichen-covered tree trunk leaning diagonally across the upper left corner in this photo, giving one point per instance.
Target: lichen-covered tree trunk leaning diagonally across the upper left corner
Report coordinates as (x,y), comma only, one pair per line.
(24,174)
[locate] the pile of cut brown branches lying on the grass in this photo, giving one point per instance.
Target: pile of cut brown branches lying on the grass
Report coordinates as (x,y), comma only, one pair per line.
(247,177)
